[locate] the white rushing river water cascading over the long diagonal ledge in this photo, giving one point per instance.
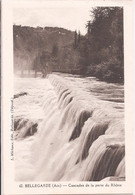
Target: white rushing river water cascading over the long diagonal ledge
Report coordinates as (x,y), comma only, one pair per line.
(68,128)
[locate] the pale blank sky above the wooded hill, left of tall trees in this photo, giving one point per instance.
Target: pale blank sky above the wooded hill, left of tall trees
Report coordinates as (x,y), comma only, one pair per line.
(72,15)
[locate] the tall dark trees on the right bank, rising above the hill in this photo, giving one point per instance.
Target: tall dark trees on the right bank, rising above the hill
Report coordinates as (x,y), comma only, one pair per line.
(104,44)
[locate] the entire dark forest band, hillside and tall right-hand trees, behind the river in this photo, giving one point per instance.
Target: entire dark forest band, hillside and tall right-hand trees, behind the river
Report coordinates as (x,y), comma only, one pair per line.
(99,53)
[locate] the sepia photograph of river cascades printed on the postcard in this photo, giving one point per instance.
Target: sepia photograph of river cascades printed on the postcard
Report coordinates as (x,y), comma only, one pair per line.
(68,105)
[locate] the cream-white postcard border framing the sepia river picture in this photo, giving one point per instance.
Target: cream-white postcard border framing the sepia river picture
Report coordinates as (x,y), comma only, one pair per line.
(8,183)
